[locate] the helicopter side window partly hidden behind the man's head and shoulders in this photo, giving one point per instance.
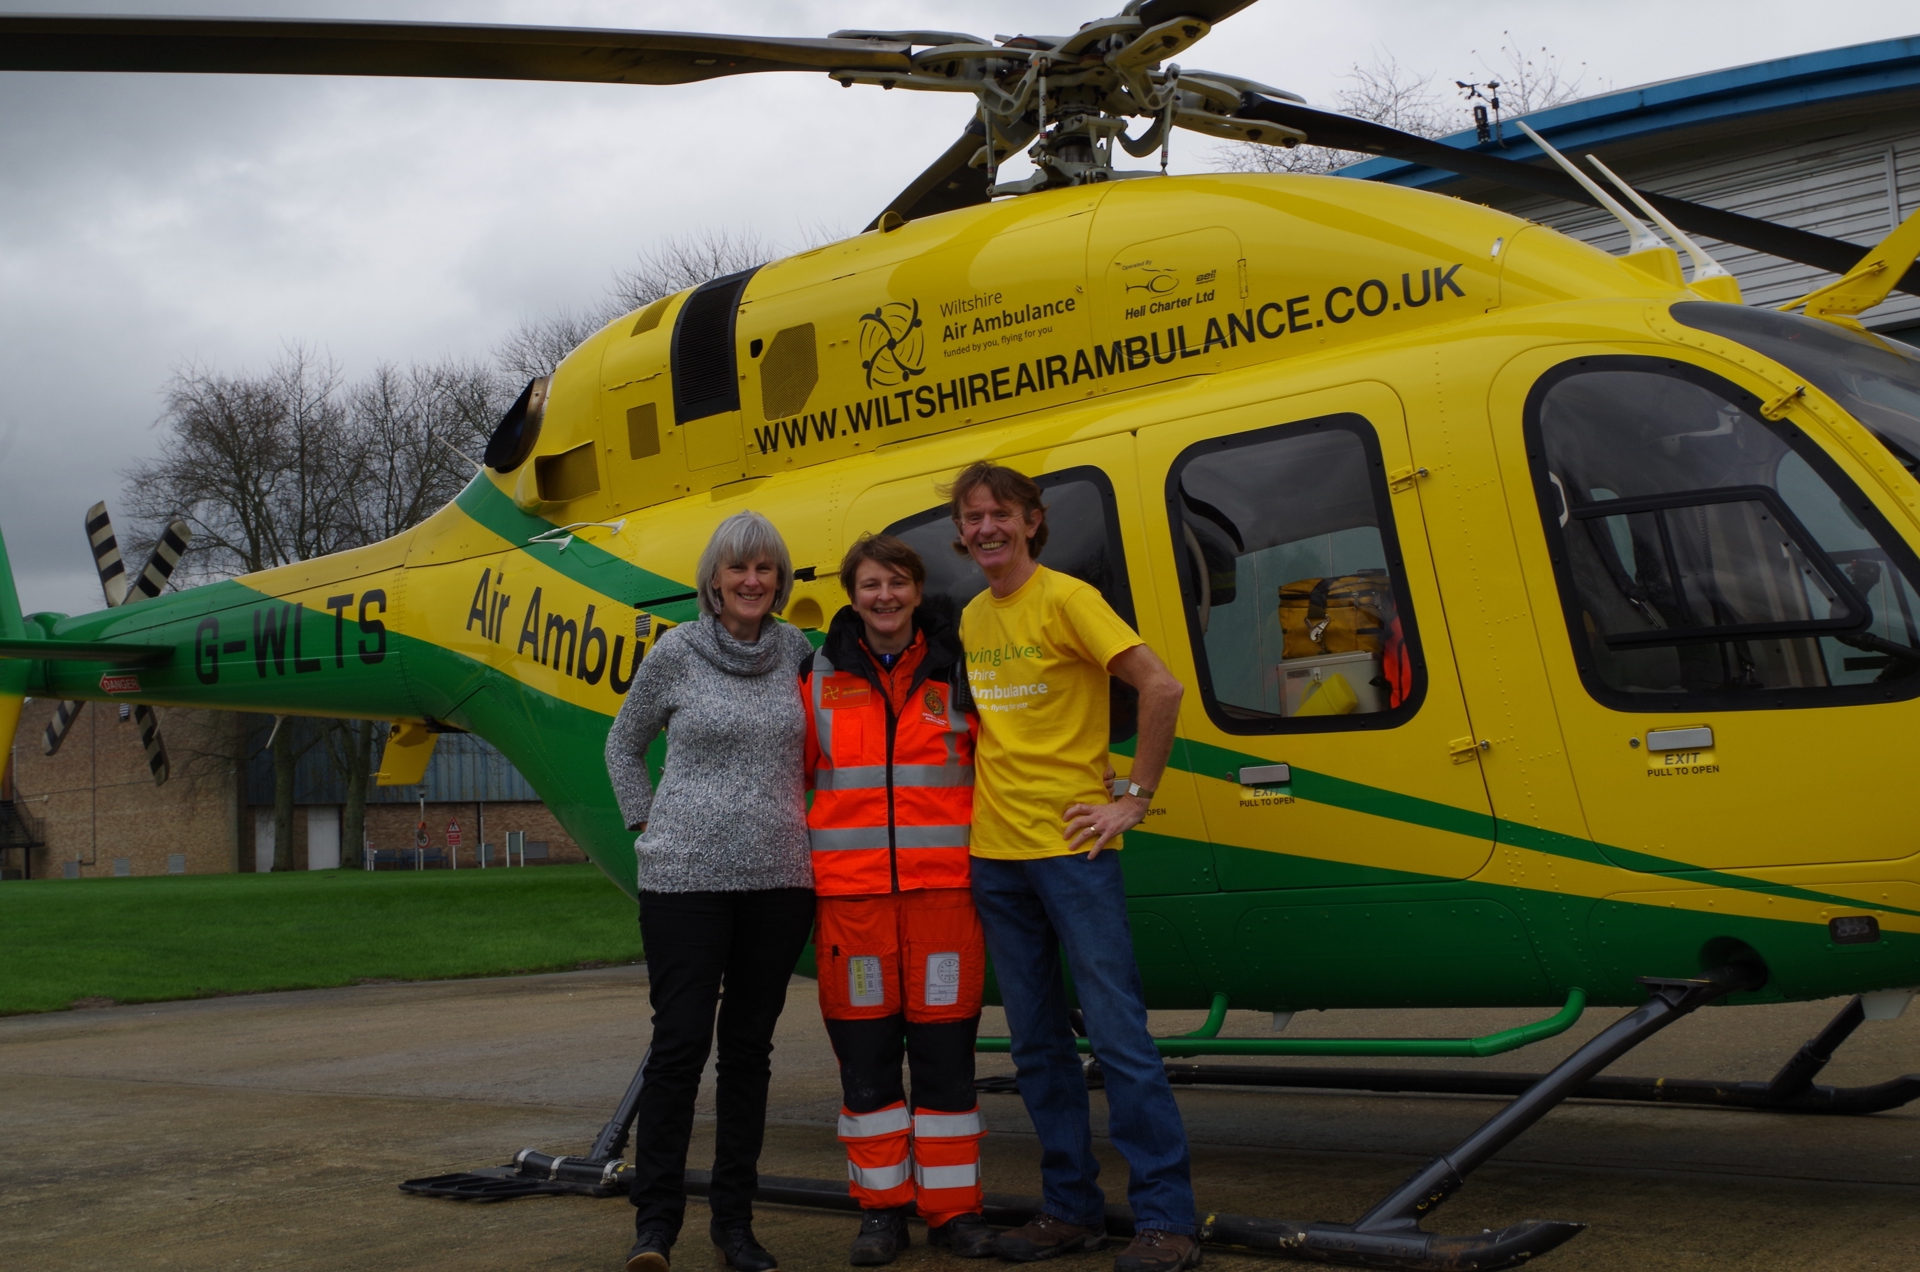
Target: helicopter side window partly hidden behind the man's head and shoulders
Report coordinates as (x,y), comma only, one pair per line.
(1082,541)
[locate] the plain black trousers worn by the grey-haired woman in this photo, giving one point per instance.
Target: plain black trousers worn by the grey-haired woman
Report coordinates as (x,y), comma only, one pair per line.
(711,950)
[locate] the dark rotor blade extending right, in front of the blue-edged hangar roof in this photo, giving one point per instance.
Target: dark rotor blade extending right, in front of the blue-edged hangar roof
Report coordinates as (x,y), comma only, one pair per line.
(1364,135)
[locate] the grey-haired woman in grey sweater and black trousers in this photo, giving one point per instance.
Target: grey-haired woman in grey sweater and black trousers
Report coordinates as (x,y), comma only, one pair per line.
(727,896)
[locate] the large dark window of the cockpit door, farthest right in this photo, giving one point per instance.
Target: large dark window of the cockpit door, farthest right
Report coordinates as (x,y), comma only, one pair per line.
(1708,554)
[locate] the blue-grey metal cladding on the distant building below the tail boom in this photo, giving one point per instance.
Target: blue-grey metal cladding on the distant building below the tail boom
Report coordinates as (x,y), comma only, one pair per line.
(466,770)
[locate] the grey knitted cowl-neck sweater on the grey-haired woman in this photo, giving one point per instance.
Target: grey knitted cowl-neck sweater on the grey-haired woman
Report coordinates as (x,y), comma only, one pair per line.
(731,814)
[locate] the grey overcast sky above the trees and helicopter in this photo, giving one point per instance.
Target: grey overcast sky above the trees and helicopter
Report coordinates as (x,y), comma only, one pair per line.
(155,222)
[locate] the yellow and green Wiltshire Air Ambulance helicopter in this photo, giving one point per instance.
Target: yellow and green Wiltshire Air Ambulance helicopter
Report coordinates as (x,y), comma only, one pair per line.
(1520,587)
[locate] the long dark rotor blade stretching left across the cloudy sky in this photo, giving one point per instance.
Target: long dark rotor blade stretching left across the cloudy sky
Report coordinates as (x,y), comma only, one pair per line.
(425,51)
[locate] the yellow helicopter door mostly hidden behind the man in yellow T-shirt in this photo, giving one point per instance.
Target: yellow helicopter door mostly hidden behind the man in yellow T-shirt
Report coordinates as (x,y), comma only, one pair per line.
(1088,539)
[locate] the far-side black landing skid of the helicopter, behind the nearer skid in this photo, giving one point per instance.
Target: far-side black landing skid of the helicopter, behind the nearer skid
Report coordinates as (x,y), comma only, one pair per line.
(1792,1090)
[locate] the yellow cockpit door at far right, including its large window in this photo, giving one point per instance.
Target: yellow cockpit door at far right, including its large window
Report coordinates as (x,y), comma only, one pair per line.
(1739,648)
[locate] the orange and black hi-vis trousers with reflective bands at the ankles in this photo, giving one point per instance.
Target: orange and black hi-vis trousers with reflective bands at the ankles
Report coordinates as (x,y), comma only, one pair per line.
(901,977)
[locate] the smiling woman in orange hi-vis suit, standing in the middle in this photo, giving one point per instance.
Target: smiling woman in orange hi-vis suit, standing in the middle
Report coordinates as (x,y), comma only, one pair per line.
(890,754)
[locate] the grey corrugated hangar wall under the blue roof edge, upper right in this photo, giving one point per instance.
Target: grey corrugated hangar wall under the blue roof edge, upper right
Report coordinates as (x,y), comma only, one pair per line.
(1852,180)
